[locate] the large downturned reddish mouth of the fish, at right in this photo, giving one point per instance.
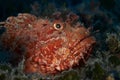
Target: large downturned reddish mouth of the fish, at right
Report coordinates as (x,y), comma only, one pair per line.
(82,49)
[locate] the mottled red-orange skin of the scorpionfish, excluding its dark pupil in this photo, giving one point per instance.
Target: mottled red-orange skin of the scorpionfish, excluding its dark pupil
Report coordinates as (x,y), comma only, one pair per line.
(47,49)
